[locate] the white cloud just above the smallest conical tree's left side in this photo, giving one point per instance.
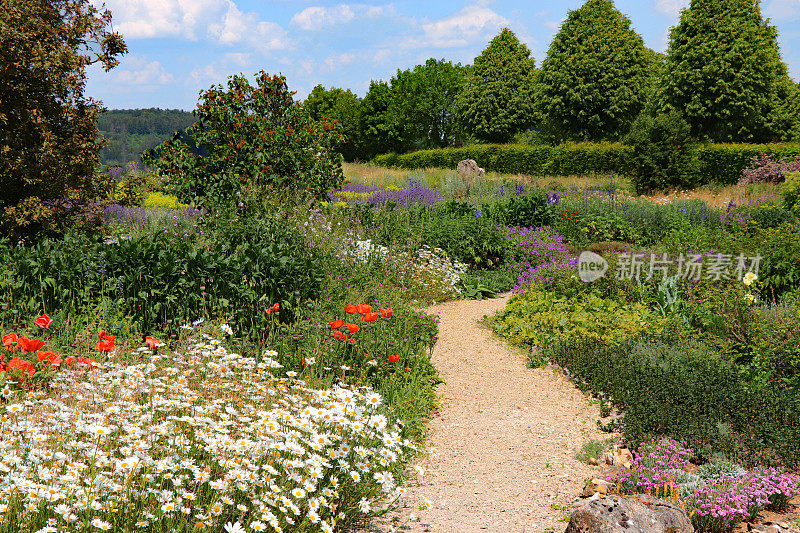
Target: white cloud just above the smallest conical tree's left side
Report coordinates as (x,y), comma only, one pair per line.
(472,23)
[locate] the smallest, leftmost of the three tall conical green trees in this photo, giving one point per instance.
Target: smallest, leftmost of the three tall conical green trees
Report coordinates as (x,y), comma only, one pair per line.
(497,98)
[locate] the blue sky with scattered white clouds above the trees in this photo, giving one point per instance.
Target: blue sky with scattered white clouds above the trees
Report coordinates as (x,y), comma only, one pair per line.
(179,47)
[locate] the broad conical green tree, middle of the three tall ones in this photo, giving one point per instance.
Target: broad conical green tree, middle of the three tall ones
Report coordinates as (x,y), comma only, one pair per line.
(596,77)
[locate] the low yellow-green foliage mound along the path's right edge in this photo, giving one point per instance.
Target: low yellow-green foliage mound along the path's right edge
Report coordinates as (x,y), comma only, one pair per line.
(540,318)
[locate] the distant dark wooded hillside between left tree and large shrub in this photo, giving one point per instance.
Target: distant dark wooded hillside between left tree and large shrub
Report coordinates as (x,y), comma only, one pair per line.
(131,131)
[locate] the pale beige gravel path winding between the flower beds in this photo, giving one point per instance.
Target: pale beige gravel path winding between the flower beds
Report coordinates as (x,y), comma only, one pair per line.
(506,436)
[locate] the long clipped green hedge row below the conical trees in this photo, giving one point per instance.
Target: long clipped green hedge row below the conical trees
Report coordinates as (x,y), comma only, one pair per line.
(715,163)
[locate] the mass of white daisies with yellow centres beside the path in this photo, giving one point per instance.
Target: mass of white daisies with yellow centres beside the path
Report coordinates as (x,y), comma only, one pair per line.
(204,439)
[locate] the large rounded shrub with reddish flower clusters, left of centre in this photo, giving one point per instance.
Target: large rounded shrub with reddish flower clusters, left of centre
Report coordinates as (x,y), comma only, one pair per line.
(251,140)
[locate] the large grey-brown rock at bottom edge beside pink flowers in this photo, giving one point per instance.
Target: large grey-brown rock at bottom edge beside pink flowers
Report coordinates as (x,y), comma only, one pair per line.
(628,514)
